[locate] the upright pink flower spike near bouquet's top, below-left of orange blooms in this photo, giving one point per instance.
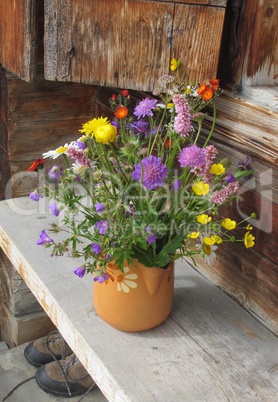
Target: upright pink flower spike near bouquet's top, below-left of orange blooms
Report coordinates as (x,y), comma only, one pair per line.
(182,120)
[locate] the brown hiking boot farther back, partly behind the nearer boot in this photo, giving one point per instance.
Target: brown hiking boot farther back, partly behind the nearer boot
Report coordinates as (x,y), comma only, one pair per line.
(47,349)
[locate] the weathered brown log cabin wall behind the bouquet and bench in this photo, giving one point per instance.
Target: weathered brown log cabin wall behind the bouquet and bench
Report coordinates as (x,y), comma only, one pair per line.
(53,81)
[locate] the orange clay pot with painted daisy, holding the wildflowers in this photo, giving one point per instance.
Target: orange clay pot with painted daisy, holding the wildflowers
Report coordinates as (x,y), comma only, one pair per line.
(137,299)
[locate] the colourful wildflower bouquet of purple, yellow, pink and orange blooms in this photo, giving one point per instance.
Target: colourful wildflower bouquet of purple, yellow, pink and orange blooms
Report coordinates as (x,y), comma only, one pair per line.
(141,186)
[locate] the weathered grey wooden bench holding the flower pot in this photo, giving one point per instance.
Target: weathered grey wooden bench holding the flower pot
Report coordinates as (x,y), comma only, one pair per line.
(209,349)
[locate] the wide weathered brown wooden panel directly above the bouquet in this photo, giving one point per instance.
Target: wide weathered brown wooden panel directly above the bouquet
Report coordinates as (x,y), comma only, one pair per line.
(82,45)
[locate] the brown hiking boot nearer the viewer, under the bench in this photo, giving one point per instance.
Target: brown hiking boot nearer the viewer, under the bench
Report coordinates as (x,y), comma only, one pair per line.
(65,378)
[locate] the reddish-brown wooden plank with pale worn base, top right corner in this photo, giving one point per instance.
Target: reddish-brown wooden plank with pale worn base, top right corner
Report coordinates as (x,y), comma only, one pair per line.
(257,60)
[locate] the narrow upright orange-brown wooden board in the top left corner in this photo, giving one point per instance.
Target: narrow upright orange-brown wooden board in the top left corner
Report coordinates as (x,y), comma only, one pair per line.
(18,37)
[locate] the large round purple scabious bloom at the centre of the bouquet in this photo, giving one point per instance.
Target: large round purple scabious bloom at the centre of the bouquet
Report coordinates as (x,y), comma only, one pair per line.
(154,172)
